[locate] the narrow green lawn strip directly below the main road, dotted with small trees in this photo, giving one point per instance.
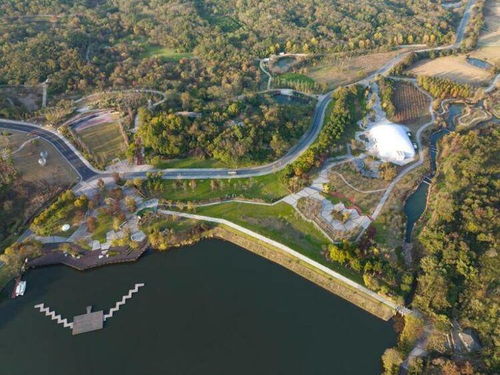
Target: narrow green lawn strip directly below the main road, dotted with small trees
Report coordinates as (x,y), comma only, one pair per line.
(267,188)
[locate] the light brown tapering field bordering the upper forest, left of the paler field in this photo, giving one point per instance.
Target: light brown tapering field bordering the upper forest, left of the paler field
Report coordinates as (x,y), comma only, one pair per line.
(344,70)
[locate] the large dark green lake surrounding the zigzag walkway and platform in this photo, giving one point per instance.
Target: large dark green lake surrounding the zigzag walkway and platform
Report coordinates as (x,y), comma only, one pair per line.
(212,308)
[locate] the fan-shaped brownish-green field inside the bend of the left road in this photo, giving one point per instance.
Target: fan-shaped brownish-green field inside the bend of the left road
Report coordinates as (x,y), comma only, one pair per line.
(105,141)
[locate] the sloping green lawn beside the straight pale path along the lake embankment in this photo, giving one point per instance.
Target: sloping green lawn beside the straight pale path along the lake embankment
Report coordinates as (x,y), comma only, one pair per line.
(281,223)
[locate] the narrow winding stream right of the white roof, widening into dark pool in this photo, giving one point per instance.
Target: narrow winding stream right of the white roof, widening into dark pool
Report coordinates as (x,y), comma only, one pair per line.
(416,202)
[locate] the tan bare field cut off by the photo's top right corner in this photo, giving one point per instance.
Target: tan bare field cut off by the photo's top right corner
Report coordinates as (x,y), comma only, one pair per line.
(489,41)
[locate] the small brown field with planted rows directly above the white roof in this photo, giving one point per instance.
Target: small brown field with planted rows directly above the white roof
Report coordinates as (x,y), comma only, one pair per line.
(412,106)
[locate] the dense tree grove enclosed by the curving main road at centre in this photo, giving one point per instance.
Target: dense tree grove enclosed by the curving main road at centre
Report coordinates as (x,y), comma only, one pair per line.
(255,129)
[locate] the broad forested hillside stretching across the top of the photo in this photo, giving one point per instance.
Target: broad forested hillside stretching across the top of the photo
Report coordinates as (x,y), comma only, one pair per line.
(88,43)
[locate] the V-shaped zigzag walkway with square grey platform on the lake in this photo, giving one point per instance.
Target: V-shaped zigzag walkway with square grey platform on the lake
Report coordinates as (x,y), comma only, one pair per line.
(90,321)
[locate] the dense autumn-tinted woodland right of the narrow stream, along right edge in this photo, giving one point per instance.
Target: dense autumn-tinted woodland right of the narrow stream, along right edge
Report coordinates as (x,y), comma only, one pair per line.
(461,266)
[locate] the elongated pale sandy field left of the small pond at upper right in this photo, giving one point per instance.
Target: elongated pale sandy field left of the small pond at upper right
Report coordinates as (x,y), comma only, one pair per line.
(455,68)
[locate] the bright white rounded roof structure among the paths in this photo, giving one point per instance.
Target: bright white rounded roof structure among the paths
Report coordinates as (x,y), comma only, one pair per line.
(390,142)
